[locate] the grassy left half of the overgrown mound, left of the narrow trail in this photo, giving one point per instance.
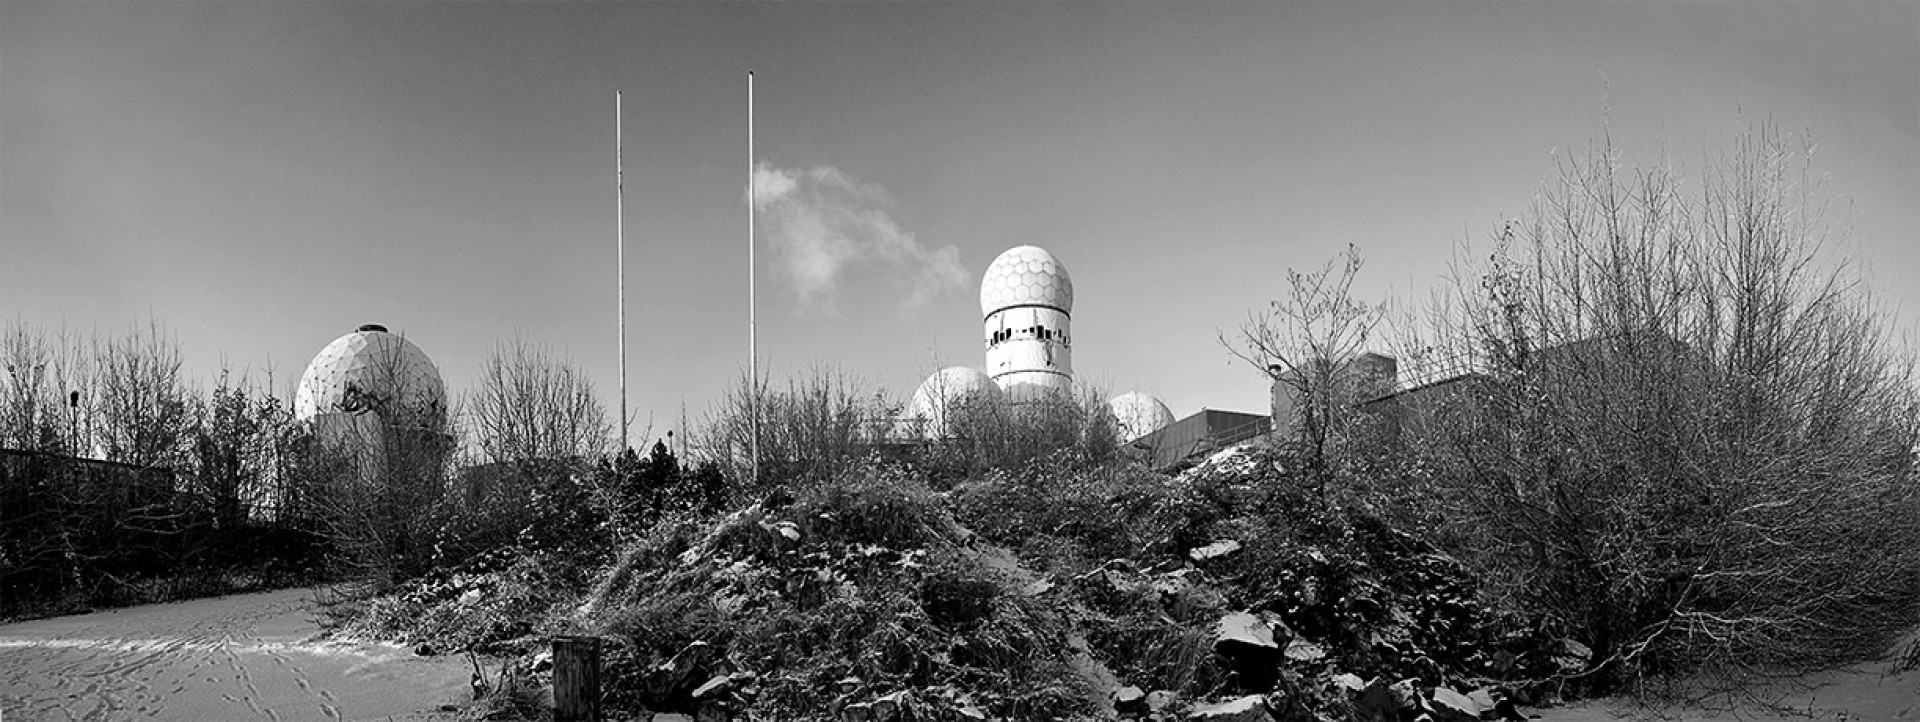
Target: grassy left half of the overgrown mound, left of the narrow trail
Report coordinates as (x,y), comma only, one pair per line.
(853,596)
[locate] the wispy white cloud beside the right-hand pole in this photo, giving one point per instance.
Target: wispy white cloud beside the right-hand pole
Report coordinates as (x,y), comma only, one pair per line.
(827,226)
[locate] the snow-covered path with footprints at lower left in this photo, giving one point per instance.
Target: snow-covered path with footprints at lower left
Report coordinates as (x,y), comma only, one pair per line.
(243,658)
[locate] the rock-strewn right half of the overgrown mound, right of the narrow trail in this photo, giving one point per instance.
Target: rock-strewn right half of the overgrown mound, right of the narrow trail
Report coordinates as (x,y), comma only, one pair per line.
(1243,579)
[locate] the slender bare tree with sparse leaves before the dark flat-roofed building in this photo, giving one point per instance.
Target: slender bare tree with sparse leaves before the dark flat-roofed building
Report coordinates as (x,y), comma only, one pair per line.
(1305,343)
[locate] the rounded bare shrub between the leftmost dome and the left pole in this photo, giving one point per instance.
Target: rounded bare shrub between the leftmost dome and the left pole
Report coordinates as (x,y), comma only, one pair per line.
(533,406)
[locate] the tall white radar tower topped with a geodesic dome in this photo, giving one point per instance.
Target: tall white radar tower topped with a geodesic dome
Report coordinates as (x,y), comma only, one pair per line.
(1028,301)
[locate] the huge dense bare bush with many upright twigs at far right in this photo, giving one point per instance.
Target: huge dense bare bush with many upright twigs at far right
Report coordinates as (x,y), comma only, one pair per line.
(1694,446)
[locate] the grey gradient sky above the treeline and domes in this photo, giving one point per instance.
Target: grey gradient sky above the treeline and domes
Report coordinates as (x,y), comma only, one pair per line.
(264,178)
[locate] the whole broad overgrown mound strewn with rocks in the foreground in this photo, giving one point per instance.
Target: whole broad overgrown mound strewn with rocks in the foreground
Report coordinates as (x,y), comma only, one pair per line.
(1228,592)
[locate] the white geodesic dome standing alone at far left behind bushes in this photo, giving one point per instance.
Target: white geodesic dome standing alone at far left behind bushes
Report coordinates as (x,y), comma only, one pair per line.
(373,372)
